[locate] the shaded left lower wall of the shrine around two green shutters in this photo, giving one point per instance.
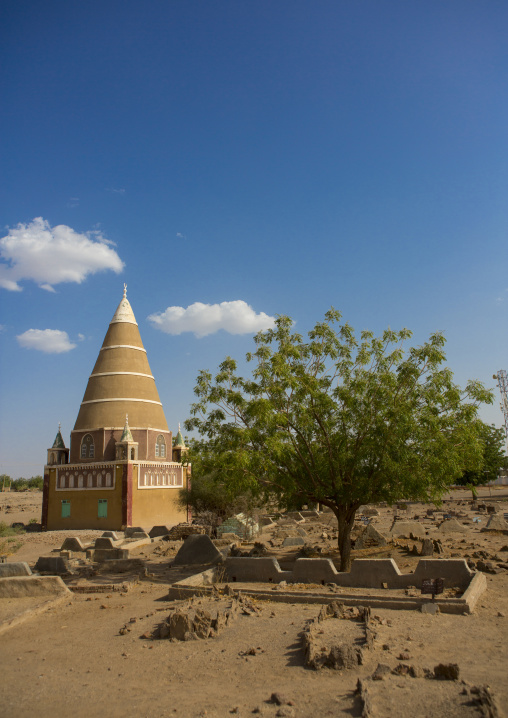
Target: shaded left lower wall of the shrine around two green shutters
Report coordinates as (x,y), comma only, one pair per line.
(84,506)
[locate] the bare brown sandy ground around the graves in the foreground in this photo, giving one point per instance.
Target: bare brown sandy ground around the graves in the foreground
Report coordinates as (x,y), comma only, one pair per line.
(72,660)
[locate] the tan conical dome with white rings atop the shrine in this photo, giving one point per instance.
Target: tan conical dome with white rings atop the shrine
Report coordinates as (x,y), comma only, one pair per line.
(121,381)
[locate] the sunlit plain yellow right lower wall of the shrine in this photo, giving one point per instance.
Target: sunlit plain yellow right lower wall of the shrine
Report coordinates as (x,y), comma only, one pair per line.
(155,507)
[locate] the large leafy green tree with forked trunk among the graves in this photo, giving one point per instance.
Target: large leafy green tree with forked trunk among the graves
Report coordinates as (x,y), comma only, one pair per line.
(337,421)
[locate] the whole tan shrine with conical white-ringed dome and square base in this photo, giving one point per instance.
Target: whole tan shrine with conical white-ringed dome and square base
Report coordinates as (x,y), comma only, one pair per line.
(122,468)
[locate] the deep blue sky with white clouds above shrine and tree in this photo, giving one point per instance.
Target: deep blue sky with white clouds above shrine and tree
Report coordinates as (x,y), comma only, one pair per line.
(286,156)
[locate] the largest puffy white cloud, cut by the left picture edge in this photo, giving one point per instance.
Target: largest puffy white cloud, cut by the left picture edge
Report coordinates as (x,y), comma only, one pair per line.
(51,255)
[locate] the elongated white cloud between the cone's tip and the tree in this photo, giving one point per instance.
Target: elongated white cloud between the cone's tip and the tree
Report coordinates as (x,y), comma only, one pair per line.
(234,317)
